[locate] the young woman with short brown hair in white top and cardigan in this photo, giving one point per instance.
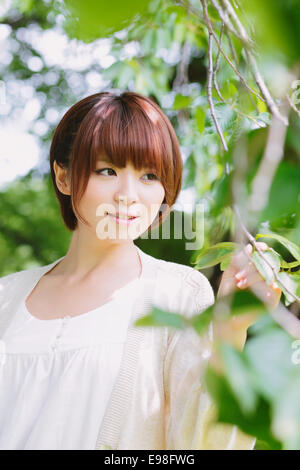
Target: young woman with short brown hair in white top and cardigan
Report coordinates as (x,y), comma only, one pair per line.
(76,373)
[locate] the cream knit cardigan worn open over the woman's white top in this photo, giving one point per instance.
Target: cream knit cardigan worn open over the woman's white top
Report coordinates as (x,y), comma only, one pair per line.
(158,400)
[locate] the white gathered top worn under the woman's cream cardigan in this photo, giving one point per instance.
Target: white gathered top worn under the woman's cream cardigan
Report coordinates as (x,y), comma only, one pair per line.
(59,375)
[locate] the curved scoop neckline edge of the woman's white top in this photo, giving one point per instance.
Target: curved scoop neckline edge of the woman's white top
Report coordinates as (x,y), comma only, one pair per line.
(118,296)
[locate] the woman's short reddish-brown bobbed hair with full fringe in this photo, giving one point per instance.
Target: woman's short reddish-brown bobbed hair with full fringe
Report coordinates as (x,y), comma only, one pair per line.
(126,127)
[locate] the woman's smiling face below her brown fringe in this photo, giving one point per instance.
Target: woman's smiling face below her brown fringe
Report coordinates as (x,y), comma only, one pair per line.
(128,191)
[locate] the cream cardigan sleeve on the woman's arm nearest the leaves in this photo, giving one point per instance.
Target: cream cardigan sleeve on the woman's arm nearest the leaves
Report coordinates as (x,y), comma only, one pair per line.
(190,412)
